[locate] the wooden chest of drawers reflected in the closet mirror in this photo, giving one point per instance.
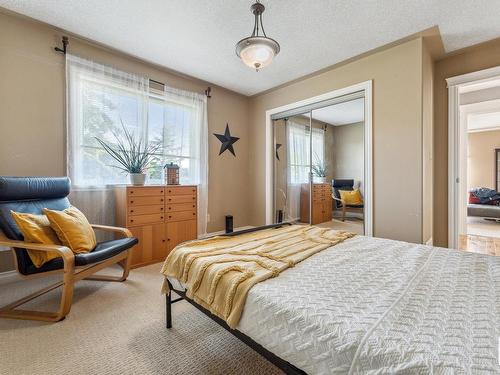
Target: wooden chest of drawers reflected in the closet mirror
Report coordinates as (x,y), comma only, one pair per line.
(321,203)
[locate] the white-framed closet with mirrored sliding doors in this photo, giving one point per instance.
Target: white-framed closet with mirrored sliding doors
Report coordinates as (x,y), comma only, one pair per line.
(321,161)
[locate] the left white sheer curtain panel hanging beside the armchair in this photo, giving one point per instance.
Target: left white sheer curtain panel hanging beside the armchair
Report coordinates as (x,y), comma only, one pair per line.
(99,99)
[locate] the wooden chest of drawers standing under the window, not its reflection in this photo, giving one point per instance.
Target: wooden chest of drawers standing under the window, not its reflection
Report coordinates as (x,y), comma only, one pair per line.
(161,217)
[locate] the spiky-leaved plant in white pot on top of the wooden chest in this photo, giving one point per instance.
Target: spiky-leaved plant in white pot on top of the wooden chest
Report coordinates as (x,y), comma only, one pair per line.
(132,154)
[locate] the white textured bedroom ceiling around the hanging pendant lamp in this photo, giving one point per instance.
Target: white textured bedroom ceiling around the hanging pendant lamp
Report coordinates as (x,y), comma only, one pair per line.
(197,37)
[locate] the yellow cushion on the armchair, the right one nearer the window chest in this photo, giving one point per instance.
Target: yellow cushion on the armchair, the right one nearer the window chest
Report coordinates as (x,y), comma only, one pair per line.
(72,229)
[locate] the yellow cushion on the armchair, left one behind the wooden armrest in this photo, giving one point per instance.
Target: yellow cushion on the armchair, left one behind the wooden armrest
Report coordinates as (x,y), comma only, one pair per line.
(36,229)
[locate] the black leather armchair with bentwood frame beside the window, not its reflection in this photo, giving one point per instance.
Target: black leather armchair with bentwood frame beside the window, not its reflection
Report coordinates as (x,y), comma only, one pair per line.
(31,195)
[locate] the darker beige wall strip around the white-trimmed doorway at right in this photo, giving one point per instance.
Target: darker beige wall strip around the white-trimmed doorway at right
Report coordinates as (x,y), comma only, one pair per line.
(479,57)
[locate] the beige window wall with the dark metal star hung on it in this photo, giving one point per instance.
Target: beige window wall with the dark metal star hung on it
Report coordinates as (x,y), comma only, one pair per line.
(32,140)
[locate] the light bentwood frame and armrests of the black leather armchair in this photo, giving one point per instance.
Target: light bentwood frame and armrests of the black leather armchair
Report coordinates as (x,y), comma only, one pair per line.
(71,275)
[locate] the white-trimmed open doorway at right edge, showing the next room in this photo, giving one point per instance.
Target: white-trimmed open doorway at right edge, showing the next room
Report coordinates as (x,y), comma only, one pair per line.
(473,162)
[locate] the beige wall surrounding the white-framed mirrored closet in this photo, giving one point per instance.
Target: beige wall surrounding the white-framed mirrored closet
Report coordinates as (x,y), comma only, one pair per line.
(397,134)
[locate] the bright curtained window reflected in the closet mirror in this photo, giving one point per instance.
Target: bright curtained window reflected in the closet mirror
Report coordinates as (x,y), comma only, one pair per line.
(299,150)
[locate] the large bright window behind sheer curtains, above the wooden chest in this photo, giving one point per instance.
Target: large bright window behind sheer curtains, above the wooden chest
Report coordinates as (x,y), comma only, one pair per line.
(102,100)
